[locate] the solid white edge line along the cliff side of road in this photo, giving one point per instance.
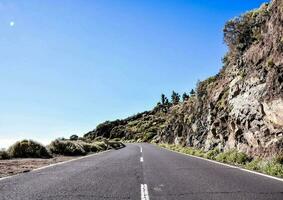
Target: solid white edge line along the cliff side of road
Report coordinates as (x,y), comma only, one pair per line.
(231,166)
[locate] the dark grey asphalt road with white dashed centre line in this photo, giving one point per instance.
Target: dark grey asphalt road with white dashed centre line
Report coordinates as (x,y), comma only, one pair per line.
(123,174)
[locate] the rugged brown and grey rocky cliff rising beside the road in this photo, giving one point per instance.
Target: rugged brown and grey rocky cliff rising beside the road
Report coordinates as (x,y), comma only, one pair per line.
(239,108)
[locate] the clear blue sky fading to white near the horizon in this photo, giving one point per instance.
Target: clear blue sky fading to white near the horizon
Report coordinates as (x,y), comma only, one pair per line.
(69,65)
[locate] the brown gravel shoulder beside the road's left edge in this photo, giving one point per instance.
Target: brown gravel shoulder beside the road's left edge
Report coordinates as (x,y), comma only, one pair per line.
(16,166)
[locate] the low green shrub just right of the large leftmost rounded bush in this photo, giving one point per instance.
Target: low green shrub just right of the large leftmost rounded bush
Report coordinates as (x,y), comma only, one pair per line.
(67,148)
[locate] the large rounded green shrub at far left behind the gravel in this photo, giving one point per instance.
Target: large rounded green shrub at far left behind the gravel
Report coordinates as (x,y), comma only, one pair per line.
(28,149)
